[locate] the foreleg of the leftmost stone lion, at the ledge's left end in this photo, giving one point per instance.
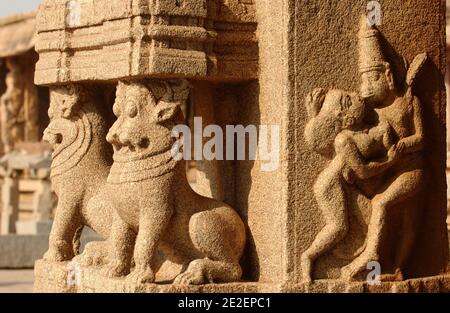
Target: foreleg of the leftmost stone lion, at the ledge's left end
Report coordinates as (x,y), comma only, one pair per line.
(66,222)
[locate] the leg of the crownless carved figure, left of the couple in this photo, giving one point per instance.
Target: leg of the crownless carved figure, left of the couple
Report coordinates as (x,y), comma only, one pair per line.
(331,198)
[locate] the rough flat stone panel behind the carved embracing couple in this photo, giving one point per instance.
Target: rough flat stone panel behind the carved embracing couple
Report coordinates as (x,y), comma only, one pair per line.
(329,59)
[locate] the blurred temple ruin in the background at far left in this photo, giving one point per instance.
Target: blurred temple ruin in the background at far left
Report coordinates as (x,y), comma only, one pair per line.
(27,202)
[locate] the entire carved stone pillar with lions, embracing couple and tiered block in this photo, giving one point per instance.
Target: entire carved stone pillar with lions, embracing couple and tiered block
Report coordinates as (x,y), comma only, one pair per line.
(354,118)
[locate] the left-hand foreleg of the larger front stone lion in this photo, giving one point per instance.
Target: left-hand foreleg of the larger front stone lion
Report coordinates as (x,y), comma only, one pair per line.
(120,248)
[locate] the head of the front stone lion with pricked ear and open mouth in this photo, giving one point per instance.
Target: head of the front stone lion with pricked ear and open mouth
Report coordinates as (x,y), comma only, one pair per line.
(146,114)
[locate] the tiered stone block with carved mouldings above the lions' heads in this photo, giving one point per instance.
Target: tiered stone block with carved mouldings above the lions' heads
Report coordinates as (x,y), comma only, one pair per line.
(110,40)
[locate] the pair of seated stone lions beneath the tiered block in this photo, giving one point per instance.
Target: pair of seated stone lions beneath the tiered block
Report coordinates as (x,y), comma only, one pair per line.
(143,202)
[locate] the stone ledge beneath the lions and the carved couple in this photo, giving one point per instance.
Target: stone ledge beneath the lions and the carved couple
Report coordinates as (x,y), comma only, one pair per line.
(53,277)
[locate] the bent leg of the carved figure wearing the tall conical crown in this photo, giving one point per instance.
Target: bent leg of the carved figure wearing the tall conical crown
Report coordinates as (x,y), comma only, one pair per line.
(402,188)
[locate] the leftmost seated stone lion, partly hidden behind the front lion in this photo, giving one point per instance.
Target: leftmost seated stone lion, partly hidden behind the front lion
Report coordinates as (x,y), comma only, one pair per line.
(81,163)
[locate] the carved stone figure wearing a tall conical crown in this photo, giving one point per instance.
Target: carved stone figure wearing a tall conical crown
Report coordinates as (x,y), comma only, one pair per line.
(403,113)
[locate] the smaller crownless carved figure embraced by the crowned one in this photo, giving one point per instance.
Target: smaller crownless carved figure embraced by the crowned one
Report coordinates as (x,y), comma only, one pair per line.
(336,130)
